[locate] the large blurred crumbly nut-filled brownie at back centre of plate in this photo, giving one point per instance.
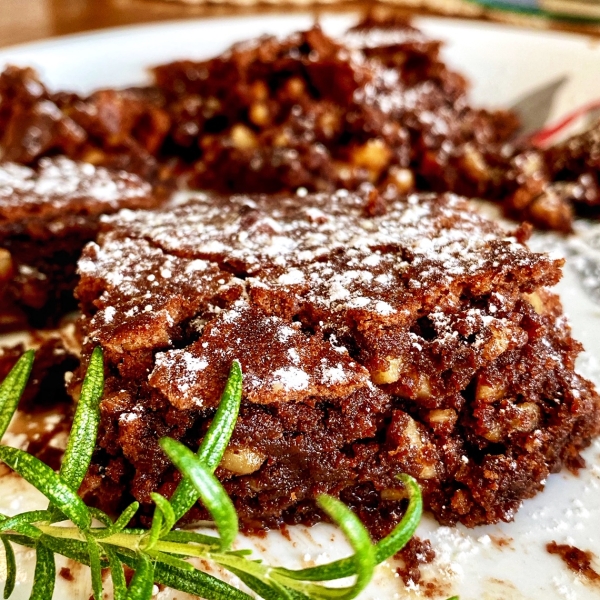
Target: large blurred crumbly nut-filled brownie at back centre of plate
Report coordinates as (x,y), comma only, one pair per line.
(377,105)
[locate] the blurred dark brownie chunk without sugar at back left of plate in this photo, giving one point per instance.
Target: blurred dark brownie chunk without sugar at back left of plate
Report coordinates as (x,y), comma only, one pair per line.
(122,129)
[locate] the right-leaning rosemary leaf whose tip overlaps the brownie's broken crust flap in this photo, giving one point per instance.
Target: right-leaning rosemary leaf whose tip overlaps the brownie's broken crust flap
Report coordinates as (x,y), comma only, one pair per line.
(216,439)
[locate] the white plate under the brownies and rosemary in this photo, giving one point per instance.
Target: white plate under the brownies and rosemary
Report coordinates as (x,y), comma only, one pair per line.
(503,562)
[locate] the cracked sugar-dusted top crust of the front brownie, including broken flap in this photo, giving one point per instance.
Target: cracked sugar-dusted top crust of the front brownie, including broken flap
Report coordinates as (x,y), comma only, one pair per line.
(326,258)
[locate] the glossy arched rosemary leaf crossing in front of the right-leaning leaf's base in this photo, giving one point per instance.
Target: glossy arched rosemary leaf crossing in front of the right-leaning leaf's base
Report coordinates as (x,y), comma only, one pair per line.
(209,489)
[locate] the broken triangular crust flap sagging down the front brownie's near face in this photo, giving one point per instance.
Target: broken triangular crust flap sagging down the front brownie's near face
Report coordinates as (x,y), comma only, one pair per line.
(280,362)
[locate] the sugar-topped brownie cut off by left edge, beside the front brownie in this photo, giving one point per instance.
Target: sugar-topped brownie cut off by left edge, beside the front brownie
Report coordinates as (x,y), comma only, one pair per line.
(47,215)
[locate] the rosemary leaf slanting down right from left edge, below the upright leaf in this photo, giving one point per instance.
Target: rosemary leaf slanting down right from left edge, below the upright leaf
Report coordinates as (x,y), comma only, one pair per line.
(49,483)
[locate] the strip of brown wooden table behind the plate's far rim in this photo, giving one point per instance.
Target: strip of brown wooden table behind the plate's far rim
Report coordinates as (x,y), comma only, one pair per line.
(27,20)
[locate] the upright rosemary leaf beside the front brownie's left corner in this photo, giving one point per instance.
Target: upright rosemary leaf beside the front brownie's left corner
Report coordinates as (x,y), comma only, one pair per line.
(84,430)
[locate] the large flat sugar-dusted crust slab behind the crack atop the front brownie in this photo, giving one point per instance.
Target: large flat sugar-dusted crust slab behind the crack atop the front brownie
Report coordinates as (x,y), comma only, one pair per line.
(327,245)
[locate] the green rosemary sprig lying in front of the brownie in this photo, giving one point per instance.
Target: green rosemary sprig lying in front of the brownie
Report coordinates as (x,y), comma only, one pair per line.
(159,555)
